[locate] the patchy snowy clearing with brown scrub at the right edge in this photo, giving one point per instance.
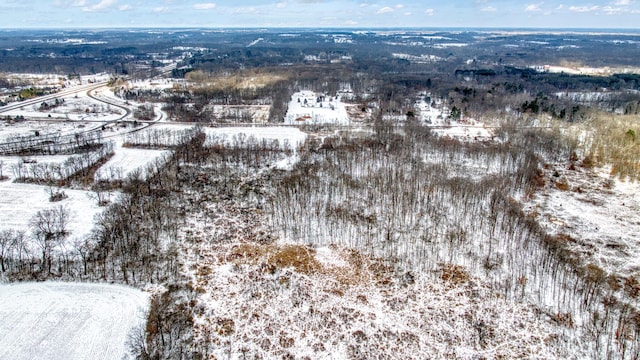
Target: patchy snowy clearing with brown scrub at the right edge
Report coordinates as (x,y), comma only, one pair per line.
(601,216)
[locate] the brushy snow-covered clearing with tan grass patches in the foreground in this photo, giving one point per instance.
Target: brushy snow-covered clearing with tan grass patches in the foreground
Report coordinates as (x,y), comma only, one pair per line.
(327,303)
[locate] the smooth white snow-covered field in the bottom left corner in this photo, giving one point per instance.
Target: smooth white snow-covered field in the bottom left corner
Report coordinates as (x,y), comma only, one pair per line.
(68,321)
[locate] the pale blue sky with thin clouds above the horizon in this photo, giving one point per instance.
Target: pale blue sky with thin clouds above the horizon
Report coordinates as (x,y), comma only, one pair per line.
(318,13)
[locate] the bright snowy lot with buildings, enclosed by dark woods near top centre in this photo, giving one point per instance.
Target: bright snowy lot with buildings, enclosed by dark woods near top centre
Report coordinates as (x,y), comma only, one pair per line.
(305,108)
